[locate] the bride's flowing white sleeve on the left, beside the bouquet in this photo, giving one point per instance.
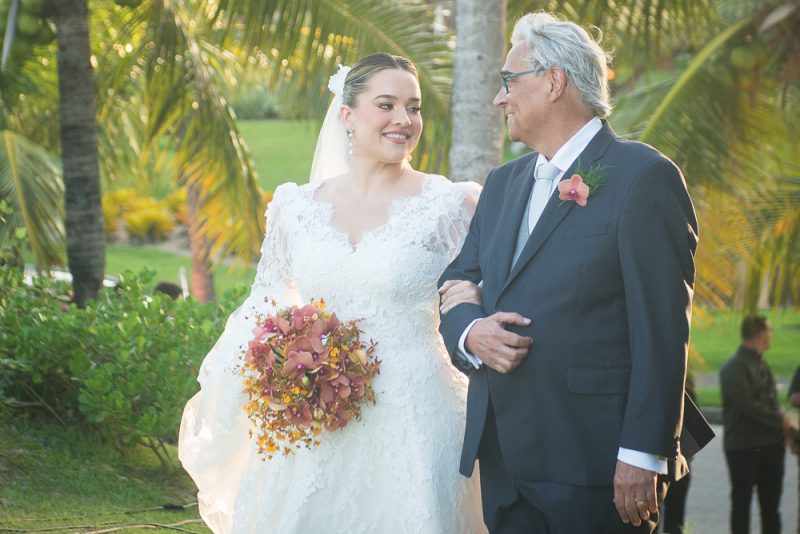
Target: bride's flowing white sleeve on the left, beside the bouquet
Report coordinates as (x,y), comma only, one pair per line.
(214,442)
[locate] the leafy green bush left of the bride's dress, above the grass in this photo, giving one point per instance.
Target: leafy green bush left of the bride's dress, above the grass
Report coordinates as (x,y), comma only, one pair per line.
(126,364)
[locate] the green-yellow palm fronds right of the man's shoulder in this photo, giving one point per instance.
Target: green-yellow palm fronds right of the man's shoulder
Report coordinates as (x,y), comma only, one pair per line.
(726,118)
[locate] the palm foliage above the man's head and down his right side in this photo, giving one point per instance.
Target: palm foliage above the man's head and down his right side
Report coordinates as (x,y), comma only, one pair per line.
(714,85)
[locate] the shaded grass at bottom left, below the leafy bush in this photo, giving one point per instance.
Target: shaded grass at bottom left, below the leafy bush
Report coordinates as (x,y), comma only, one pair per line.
(53,477)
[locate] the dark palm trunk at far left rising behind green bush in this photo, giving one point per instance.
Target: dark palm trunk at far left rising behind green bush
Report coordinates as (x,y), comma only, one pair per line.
(81,171)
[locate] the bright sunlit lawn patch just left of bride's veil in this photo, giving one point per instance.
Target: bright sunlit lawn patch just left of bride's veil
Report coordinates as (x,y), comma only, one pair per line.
(282,150)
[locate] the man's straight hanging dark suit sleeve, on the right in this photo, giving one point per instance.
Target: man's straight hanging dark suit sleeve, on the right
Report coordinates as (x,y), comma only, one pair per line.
(658,239)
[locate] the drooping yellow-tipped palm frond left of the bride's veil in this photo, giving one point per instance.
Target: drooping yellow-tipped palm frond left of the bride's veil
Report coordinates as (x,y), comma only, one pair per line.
(187,110)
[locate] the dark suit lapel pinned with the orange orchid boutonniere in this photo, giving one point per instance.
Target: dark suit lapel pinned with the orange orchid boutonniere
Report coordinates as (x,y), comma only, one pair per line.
(556,210)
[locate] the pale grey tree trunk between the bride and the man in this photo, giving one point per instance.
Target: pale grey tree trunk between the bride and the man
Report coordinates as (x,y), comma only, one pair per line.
(477,126)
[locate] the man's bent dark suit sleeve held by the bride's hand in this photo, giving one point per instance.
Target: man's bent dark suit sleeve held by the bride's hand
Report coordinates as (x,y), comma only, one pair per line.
(465,266)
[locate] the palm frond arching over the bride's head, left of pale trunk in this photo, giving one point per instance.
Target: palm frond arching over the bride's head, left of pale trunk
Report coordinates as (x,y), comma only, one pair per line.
(301,42)
